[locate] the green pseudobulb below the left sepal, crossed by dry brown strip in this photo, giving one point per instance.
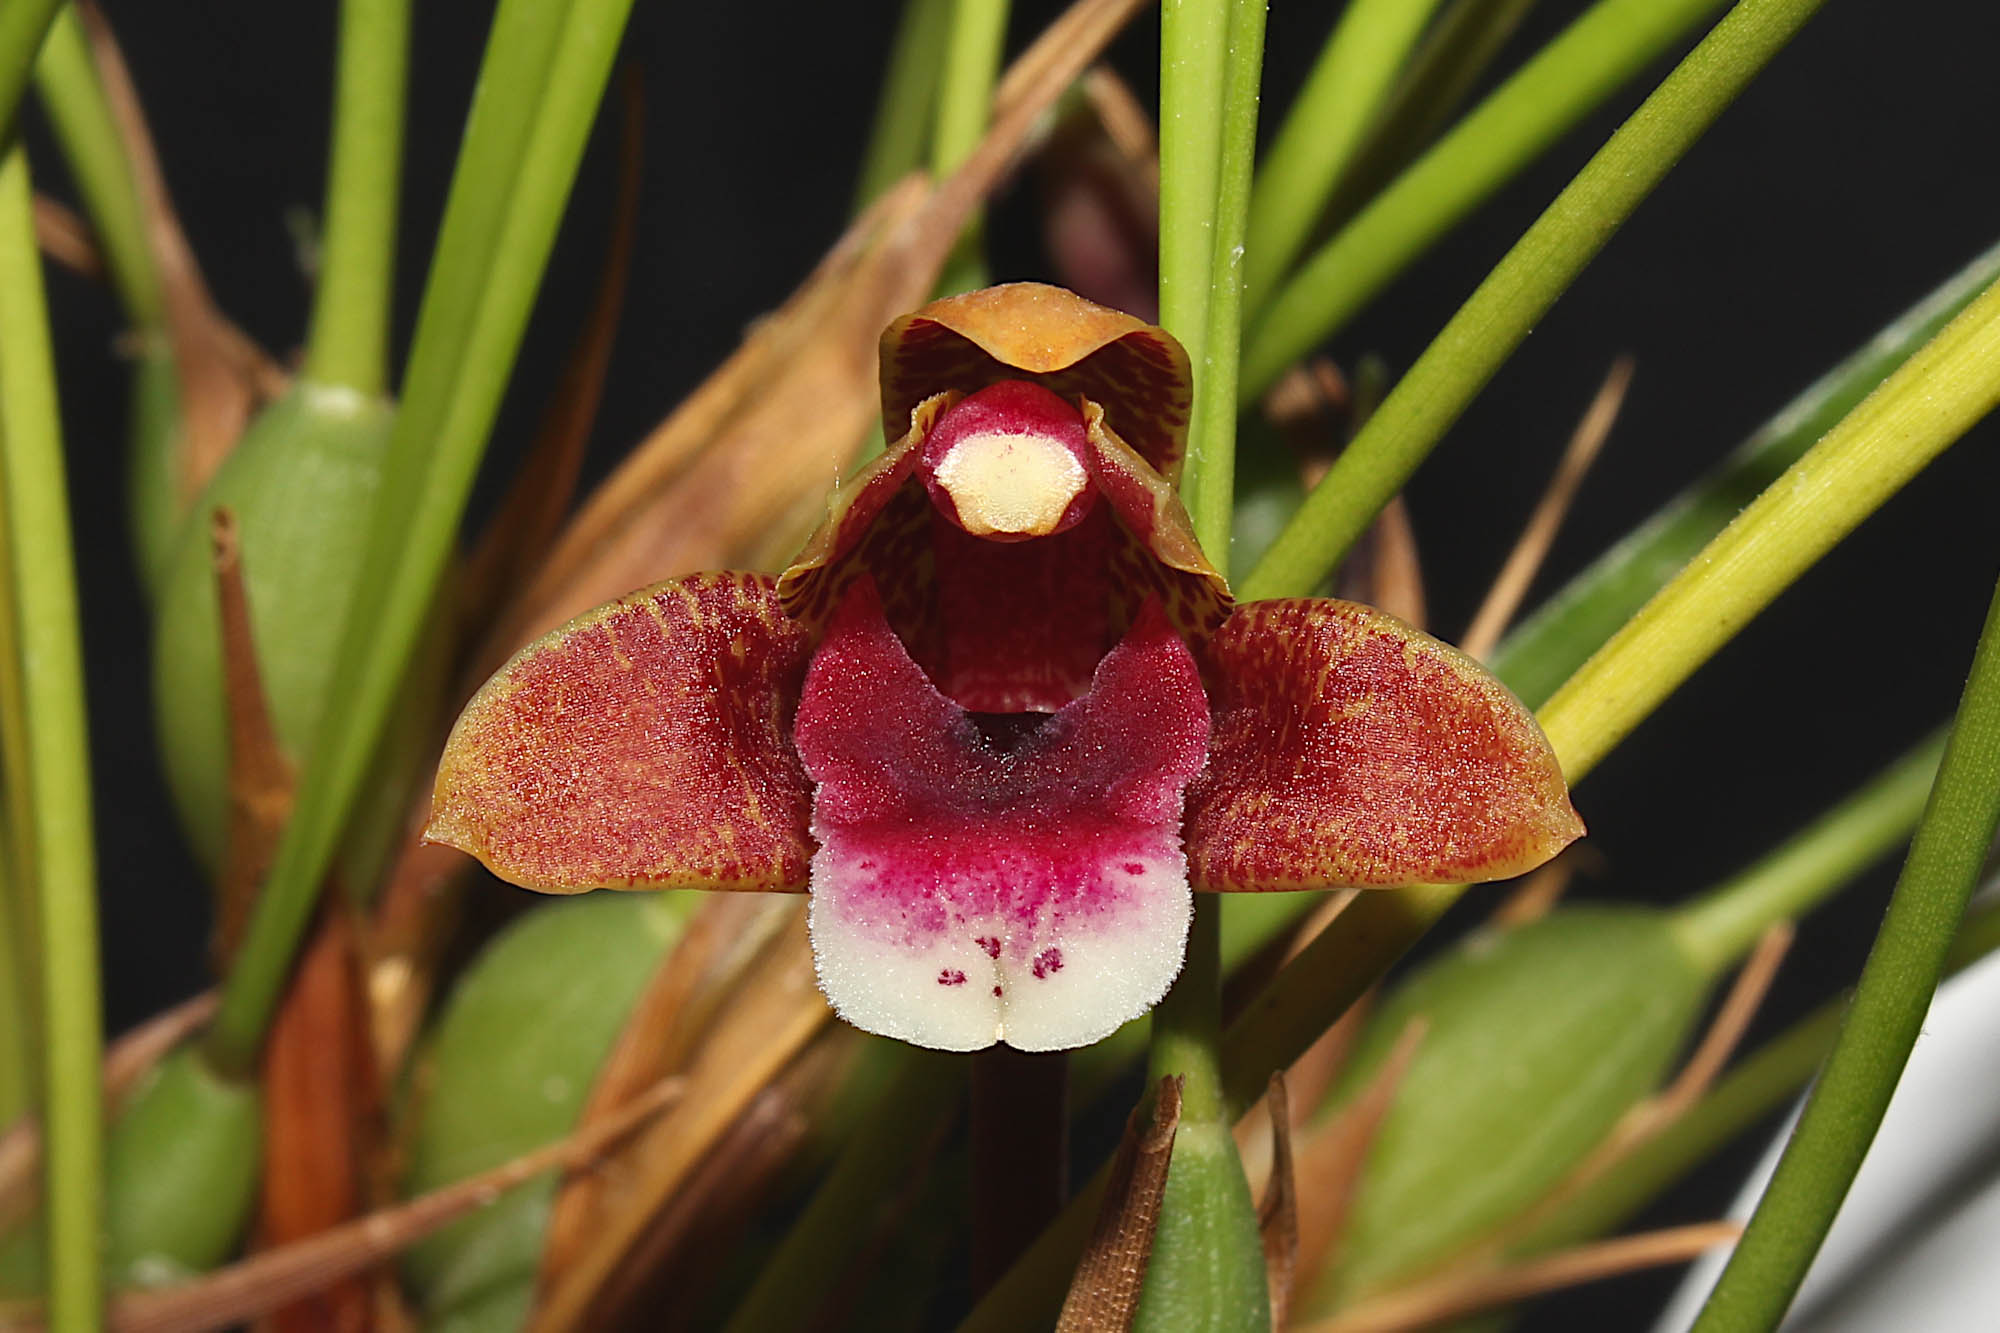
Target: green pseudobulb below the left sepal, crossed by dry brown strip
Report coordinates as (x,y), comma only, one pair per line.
(507,1070)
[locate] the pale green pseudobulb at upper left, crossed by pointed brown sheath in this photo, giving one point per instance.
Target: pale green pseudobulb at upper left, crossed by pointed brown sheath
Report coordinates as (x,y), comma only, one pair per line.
(303,485)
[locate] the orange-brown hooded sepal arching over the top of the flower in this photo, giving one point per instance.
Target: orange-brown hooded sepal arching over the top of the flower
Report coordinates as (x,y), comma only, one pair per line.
(1029,331)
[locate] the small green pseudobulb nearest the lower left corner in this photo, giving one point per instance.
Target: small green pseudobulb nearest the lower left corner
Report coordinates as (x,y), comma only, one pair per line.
(181,1172)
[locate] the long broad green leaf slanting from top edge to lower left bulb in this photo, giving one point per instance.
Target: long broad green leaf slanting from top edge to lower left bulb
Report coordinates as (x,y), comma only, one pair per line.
(539,91)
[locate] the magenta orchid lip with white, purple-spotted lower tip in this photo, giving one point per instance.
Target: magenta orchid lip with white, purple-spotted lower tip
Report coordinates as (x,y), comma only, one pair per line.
(971,890)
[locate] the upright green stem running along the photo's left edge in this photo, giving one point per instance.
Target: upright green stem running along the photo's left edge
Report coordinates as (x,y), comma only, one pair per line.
(57,764)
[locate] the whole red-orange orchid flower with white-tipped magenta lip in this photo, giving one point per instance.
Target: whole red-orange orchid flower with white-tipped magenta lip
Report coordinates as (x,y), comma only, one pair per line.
(1001,716)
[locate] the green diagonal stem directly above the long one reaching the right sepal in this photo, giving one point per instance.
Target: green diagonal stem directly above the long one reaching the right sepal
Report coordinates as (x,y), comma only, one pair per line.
(1519,121)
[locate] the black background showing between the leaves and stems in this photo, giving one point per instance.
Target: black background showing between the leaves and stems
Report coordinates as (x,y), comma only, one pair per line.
(1847,183)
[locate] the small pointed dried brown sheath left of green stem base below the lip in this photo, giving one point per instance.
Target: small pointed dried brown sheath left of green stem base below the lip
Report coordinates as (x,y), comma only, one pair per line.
(1113,1270)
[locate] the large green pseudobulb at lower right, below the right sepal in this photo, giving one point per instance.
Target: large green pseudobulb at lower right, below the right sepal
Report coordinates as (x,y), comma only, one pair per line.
(1539,1042)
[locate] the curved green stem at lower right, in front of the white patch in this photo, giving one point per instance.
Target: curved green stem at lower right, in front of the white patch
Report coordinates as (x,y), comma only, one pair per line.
(1889,1008)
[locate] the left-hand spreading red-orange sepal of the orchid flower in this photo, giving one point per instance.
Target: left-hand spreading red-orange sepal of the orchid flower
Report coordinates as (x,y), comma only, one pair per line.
(643,746)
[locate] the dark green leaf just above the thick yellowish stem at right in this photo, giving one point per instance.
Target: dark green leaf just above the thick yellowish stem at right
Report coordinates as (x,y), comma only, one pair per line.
(1545,649)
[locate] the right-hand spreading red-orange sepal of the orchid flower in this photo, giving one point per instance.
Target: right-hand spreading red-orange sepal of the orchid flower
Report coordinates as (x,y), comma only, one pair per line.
(1353,750)
